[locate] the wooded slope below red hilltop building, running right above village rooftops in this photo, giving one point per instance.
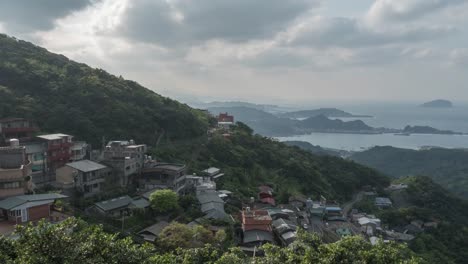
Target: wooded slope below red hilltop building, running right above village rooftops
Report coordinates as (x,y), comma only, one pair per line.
(250,160)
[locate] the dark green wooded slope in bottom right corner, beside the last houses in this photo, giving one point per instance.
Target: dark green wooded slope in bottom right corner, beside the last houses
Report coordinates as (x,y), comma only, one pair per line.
(427,201)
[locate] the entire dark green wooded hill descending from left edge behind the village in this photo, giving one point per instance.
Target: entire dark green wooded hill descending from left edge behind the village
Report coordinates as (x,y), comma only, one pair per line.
(64,96)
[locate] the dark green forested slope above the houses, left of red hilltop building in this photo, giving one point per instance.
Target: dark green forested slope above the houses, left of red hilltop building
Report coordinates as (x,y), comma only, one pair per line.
(64,96)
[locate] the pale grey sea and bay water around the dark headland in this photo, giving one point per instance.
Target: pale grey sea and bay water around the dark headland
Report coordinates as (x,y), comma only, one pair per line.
(397,116)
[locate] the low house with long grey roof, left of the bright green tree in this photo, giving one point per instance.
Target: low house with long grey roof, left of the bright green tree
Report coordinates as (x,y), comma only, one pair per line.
(121,206)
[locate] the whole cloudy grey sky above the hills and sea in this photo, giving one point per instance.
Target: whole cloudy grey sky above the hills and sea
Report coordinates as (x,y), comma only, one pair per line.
(266,51)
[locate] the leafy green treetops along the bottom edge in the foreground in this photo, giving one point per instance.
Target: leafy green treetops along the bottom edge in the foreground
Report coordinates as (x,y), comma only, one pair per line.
(73,241)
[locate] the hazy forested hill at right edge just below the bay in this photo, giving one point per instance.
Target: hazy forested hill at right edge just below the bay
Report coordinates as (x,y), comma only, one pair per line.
(448,167)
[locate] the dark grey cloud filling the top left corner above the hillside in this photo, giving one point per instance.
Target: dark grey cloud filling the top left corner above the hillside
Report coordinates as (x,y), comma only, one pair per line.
(25,16)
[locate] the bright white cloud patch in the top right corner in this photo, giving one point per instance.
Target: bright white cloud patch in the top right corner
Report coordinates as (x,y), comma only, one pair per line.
(383,11)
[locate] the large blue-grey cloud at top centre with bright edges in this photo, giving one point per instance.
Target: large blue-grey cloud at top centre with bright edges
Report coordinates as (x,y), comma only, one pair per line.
(181,22)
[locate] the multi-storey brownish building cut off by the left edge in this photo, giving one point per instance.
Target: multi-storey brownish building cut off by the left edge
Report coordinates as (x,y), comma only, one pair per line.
(15,170)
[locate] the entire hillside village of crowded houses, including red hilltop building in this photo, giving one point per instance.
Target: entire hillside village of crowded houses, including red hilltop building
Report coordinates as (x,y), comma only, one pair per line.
(53,177)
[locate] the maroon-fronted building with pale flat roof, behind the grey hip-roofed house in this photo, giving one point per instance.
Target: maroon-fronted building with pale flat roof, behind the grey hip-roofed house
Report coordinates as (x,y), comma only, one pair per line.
(58,150)
